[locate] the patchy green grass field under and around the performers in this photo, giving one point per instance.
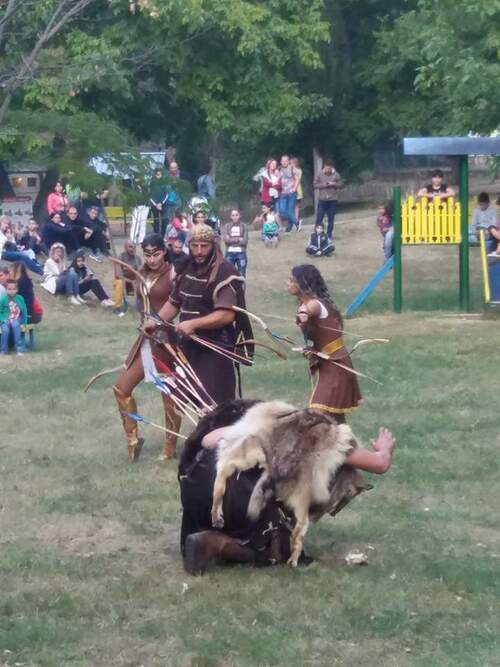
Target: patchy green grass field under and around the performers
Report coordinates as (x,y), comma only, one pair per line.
(90,573)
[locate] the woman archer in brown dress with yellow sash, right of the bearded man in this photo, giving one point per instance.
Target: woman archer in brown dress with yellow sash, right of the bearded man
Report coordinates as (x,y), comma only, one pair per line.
(336,389)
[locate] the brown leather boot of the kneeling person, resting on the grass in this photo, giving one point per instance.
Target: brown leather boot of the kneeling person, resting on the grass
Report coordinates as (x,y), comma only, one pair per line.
(208,546)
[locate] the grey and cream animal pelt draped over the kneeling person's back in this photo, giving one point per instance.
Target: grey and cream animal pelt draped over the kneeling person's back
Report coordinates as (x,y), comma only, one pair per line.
(300,452)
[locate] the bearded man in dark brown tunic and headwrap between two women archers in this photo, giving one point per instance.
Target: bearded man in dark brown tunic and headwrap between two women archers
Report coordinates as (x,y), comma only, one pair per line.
(204,296)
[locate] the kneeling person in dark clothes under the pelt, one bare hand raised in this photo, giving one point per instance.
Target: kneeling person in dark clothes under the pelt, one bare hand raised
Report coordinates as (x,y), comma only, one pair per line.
(266,541)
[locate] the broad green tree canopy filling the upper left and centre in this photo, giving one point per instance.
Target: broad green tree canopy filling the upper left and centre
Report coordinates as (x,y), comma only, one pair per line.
(218,71)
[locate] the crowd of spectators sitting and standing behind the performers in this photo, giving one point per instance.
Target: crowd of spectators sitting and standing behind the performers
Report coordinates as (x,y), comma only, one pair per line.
(76,227)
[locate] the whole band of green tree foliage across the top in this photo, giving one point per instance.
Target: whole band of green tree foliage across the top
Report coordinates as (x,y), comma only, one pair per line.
(237,80)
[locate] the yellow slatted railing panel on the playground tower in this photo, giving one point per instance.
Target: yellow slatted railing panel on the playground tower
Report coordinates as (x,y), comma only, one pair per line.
(430,222)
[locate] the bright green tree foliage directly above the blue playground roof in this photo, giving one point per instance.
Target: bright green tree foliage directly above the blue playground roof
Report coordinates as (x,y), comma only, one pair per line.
(435,69)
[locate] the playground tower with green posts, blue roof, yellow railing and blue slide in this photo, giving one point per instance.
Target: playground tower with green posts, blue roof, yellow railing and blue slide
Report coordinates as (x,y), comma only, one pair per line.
(436,222)
